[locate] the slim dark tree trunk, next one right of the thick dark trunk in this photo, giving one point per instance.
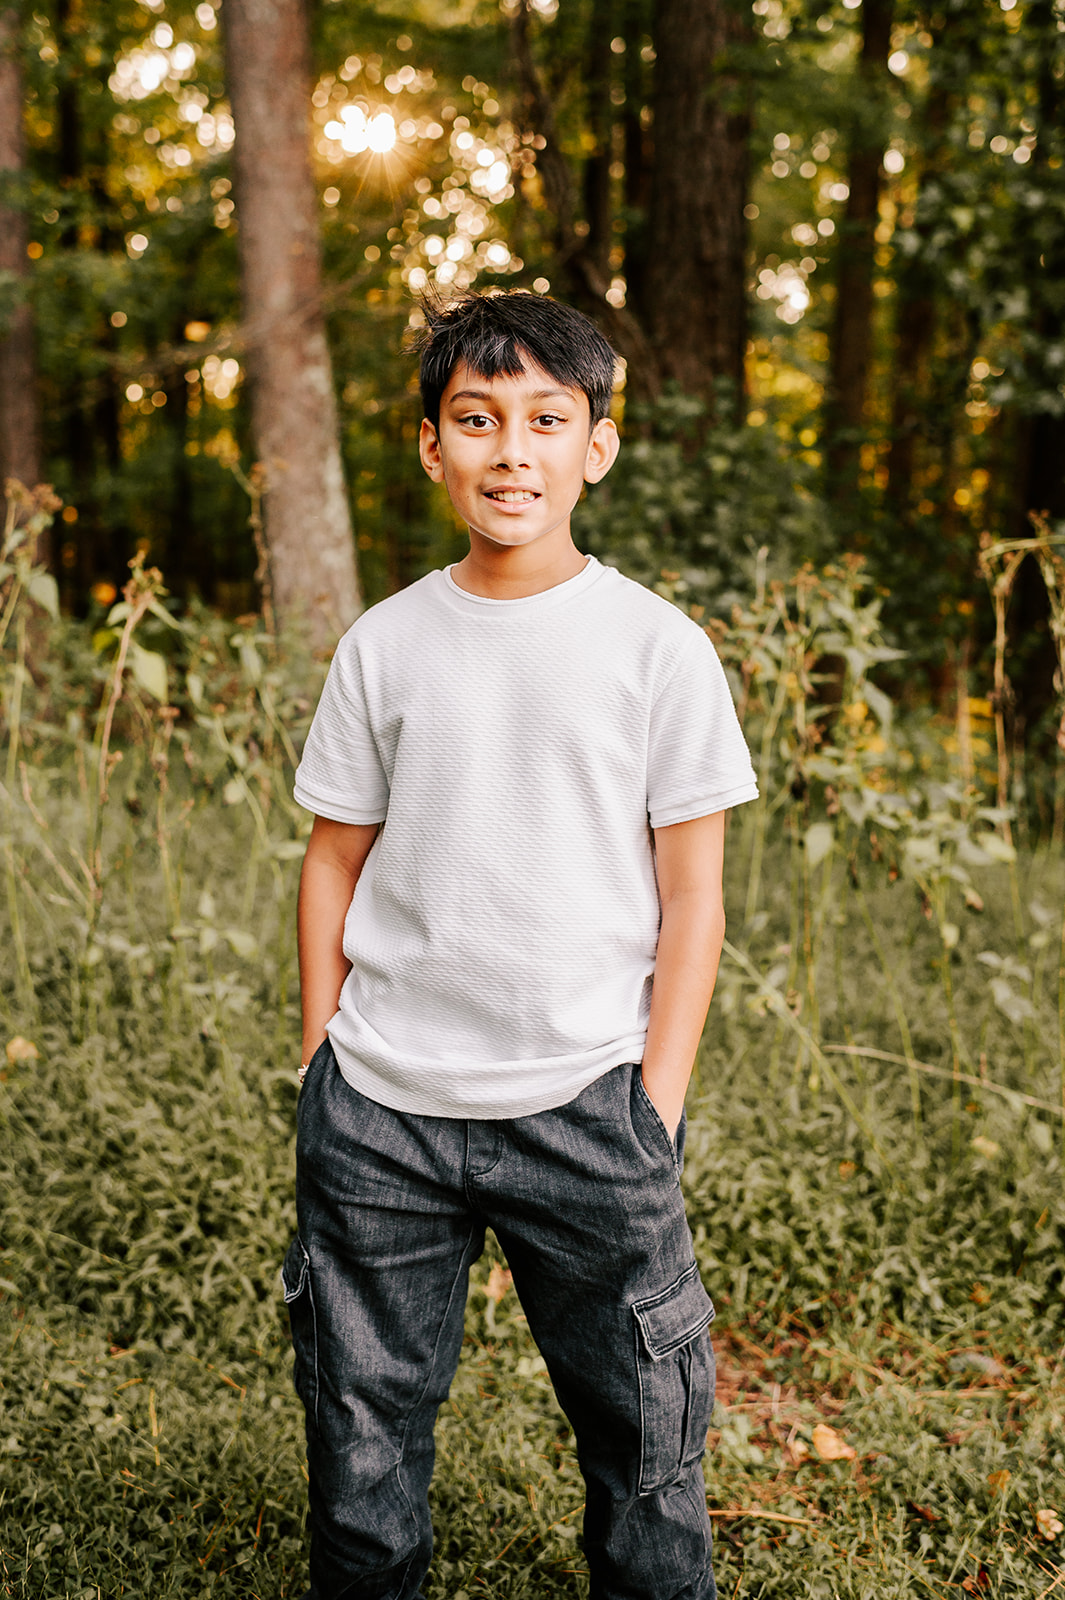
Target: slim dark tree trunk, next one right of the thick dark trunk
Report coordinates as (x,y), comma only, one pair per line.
(852,342)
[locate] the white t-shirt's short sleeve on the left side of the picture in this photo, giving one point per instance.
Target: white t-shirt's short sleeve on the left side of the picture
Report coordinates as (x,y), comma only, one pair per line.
(341,775)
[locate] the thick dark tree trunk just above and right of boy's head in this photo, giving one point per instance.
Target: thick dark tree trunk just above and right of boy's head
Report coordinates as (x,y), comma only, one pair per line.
(696,308)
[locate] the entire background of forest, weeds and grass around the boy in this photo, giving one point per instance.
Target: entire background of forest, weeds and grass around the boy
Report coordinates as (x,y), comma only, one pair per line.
(828,239)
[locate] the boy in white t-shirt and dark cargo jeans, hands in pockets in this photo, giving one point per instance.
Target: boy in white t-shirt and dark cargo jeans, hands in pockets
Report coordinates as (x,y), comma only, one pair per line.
(509,930)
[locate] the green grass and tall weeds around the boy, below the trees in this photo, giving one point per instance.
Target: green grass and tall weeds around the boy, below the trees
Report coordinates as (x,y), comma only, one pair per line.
(874,1164)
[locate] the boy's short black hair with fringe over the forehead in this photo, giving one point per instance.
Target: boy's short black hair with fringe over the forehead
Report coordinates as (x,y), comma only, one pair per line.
(497,334)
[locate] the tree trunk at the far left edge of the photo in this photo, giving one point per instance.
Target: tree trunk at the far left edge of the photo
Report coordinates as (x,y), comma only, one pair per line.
(20,422)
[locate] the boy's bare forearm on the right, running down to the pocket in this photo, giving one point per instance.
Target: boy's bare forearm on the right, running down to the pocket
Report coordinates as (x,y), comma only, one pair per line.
(687,969)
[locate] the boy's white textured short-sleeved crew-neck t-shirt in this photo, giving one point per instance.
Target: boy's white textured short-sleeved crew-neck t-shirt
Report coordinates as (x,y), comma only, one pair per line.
(519,753)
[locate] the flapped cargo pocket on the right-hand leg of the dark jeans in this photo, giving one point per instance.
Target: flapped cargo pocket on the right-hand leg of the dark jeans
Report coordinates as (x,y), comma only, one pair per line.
(676,1372)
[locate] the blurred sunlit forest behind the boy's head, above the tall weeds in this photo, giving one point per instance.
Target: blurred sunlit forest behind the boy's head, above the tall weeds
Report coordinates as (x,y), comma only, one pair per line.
(828,239)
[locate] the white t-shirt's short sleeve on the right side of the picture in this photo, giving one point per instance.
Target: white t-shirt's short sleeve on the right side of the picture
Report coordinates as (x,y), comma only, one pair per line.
(698,759)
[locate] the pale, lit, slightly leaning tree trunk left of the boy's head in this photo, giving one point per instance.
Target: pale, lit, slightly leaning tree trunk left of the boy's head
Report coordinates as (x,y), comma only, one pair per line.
(293,406)
